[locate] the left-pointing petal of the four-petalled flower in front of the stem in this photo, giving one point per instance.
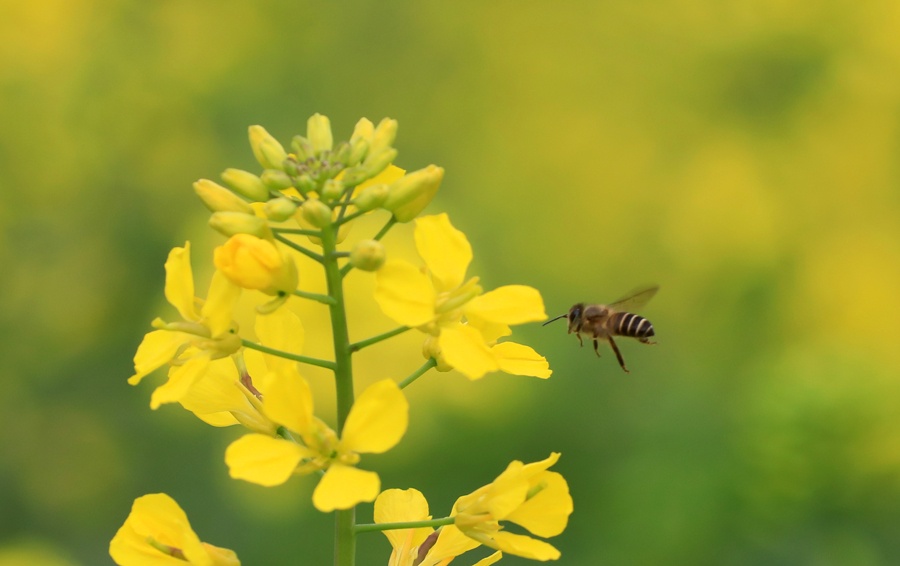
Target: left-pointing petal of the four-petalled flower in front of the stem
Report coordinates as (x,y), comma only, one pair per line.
(263,460)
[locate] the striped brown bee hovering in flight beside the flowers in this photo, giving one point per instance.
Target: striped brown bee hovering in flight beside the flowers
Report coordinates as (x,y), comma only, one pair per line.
(605,321)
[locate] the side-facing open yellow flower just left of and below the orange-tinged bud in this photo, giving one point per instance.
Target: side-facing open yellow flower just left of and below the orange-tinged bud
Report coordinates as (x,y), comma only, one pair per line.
(191,343)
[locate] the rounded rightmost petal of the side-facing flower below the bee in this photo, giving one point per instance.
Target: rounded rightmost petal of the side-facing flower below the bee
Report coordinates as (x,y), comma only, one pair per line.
(546,514)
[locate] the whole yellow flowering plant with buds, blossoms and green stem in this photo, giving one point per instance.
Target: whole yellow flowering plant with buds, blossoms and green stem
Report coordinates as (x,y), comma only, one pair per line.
(300,206)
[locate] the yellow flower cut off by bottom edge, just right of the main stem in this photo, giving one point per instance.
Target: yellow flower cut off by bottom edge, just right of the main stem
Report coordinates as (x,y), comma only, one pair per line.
(421,546)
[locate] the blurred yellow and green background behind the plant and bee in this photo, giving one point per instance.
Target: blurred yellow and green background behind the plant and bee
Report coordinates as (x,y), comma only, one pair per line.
(742,155)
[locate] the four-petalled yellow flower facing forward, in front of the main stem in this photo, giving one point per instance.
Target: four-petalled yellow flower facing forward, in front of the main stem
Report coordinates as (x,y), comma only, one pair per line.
(376,423)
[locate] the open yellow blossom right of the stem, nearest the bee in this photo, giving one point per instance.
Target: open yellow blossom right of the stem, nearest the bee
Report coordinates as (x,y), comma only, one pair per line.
(464,324)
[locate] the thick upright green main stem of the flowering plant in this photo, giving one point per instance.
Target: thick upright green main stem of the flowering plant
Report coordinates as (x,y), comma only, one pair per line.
(344,535)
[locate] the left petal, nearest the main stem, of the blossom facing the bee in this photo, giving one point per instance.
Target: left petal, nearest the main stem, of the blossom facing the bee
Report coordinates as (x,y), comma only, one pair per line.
(404,293)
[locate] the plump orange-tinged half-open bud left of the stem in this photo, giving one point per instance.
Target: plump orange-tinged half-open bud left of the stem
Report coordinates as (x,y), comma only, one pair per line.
(256,263)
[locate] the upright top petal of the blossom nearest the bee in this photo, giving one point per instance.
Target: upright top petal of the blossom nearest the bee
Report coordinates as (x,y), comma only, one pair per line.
(445,249)
